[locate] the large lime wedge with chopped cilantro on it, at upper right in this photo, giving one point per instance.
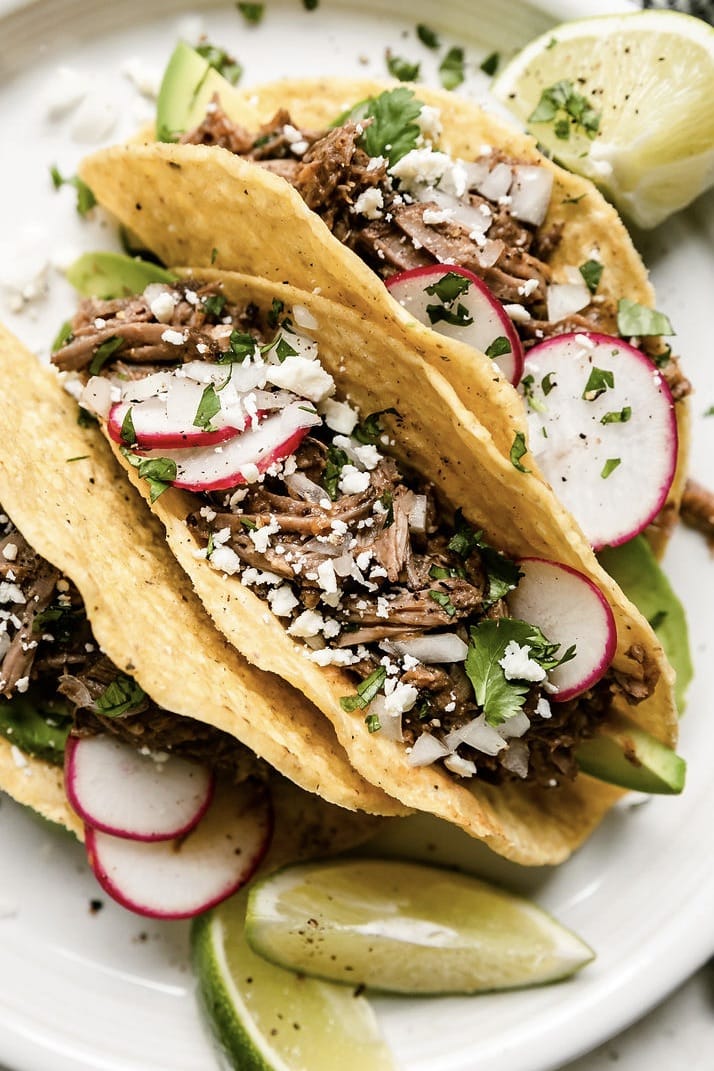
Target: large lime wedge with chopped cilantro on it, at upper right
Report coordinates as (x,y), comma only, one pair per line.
(626,101)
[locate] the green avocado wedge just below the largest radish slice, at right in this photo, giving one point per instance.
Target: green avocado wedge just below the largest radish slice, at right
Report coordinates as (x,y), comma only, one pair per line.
(641,577)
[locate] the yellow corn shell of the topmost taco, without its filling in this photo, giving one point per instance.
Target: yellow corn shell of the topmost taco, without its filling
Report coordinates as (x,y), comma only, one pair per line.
(272,234)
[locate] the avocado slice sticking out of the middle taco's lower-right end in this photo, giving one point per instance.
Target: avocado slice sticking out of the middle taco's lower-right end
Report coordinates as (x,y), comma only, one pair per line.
(624,755)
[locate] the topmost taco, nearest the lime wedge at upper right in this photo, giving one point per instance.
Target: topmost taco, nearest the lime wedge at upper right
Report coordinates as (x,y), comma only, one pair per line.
(352,187)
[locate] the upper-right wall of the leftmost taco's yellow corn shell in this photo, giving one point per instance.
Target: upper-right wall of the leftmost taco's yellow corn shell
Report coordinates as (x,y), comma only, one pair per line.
(59,485)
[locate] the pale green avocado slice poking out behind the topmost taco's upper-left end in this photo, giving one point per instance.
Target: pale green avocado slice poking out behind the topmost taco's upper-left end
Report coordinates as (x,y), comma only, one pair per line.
(187,89)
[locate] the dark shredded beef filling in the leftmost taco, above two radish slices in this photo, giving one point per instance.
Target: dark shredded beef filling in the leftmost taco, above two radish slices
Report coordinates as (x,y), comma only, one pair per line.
(50,652)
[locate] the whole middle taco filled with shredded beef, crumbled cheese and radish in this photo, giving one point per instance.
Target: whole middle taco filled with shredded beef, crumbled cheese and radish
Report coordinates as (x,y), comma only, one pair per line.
(352,527)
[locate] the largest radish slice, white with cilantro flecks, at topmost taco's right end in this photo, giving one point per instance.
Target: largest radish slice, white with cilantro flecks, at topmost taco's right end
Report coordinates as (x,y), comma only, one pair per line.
(603,429)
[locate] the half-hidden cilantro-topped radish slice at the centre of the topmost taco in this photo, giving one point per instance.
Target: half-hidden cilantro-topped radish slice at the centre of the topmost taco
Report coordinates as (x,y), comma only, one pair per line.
(490,327)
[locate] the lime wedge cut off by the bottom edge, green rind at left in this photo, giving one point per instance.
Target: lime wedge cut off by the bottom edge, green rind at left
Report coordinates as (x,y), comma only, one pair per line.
(266,1019)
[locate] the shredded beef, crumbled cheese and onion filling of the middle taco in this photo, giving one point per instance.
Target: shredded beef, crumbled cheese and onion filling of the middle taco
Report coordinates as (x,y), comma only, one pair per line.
(299,497)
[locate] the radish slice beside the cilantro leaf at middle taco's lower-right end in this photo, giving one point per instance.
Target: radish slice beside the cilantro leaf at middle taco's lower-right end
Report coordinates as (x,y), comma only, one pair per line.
(570,610)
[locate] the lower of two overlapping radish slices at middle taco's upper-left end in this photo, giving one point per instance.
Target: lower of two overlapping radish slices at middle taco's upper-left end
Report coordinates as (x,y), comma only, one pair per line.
(229,465)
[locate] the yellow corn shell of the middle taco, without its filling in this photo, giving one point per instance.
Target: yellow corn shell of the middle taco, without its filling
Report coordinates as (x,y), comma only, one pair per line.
(438,438)
